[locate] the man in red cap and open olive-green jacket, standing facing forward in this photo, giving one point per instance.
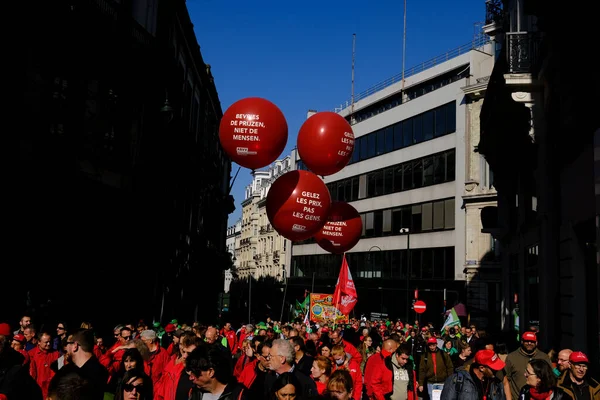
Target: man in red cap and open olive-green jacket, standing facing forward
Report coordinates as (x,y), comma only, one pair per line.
(516,364)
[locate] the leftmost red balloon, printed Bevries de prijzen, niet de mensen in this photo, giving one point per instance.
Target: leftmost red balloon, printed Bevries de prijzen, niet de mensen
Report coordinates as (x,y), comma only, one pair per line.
(253,132)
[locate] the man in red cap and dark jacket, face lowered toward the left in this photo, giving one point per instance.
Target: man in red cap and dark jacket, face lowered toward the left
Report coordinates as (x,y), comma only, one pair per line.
(478,382)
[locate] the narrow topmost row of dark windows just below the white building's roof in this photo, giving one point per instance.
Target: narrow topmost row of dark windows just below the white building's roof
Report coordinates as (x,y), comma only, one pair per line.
(411,93)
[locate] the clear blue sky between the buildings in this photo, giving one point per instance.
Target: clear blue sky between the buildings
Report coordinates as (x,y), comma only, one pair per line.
(299,54)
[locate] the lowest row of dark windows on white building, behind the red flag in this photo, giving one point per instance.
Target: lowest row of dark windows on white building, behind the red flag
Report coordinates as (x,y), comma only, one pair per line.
(428,263)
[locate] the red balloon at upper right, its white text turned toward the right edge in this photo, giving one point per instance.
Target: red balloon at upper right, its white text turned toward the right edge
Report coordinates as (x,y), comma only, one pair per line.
(325,143)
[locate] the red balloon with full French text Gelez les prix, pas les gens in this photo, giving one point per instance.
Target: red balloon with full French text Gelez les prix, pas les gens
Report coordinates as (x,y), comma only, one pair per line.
(298,203)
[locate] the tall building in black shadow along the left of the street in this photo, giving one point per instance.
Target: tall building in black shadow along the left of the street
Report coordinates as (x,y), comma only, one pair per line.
(120,196)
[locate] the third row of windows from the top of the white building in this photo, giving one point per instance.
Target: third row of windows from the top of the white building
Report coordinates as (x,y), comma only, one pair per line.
(431,170)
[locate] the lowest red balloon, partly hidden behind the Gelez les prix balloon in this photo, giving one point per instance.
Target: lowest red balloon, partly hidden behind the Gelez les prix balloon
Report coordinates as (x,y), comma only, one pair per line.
(342,230)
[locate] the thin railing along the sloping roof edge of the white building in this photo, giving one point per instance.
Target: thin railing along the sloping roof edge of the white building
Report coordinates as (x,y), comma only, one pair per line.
(479,42)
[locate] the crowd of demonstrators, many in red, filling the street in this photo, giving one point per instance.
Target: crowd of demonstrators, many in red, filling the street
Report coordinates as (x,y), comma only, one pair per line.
(364,359)
